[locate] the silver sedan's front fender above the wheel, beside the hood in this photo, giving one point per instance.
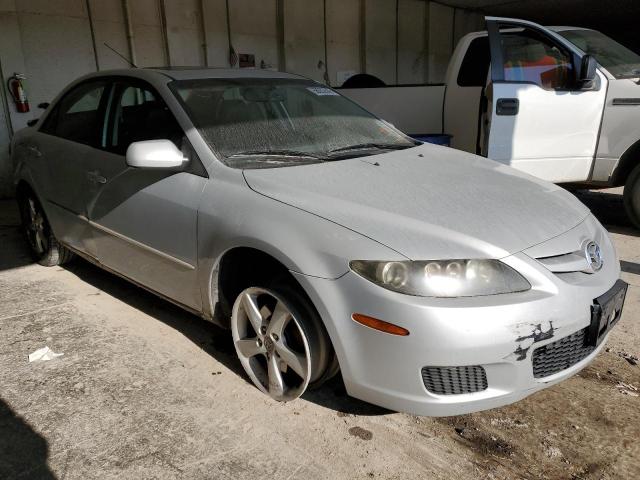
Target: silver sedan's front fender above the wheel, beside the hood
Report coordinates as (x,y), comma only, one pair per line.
(232,215)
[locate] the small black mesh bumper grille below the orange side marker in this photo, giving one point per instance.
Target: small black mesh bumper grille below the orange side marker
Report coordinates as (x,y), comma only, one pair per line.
(454,380)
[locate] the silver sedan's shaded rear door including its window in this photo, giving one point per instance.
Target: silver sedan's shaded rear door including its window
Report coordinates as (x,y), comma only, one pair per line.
(59,151)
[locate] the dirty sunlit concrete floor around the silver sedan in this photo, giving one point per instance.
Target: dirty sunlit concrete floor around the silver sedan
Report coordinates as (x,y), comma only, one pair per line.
(145,390)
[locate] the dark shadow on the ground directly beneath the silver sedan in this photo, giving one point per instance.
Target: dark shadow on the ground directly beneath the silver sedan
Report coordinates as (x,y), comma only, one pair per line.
(212,339)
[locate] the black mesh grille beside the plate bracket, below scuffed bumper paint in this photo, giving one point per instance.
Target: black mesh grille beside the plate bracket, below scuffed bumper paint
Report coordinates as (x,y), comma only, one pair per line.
(561,354)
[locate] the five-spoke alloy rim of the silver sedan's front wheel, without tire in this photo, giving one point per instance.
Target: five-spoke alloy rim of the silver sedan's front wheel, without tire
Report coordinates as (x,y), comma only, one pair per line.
(271,344)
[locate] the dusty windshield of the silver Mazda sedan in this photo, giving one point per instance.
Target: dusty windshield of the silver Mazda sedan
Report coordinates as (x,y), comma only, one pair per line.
(260,123)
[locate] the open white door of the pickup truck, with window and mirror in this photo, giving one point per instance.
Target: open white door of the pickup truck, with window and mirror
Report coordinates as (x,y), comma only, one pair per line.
(542,121)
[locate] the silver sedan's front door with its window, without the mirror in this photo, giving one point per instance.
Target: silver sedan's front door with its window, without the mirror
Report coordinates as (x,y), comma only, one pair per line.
(145,220)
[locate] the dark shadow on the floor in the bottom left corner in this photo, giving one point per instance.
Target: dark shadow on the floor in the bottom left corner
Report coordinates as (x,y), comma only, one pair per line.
(23,452)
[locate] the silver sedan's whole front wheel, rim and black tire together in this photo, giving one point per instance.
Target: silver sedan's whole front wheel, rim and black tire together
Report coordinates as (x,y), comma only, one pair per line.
(280,341)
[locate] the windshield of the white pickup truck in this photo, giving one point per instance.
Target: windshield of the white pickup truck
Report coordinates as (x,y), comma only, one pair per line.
(617,59)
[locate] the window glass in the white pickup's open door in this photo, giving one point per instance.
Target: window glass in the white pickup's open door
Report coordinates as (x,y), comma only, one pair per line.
(531,57)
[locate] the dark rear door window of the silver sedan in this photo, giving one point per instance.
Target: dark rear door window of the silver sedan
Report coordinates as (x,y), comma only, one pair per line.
(78,116)
